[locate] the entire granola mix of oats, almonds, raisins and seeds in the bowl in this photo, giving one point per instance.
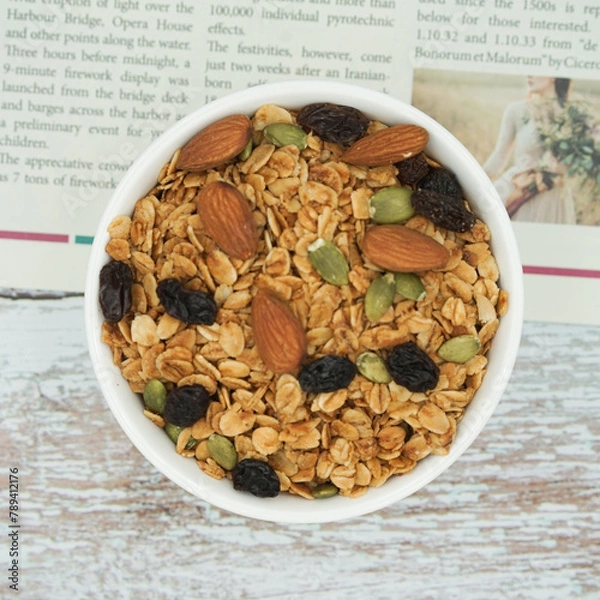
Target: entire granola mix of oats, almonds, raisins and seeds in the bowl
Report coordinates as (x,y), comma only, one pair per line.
(304,301)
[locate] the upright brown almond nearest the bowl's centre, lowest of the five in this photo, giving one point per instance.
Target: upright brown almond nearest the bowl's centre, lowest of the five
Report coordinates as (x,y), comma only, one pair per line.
(278,334)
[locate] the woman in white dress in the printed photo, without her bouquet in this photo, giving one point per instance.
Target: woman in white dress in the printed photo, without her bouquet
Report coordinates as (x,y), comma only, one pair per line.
(533,186)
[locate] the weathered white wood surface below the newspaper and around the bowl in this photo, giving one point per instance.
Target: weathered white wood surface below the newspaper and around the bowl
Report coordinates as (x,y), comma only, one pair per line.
(518,516)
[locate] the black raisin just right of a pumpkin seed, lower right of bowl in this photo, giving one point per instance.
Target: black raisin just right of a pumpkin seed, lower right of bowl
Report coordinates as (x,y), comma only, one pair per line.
(412,368)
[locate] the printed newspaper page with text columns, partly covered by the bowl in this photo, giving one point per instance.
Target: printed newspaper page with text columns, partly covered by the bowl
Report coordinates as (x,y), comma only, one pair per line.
(87,84)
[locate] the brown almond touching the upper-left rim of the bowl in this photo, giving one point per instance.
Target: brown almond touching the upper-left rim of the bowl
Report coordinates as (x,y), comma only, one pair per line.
(216,144)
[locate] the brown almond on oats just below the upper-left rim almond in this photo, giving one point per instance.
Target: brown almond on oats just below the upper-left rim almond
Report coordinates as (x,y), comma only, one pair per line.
(227,218)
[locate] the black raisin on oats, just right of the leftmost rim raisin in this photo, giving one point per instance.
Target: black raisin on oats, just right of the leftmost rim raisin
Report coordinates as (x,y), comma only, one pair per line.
(190,306)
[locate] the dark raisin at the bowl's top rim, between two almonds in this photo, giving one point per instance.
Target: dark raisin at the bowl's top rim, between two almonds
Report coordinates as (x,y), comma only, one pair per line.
(334,122)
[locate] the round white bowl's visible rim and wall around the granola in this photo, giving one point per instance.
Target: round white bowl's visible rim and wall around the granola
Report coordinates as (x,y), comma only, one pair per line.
(155,445)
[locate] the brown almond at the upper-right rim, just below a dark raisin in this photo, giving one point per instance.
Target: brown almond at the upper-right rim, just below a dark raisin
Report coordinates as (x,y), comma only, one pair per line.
(387,146)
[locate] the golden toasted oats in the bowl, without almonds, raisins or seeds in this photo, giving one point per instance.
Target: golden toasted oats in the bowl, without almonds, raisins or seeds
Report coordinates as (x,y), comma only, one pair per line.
(356,437)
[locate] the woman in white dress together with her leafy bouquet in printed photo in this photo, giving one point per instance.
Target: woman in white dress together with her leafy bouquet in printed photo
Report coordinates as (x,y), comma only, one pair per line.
(554,145)
